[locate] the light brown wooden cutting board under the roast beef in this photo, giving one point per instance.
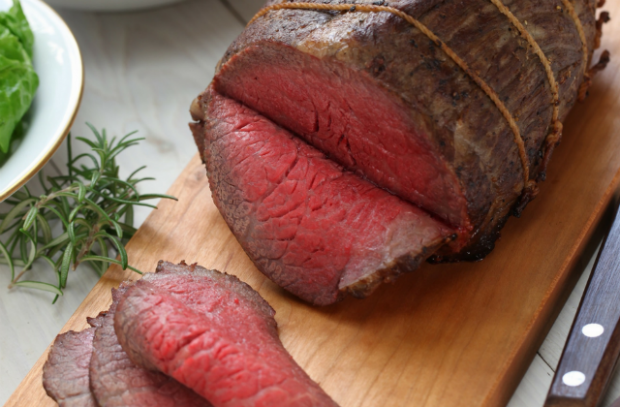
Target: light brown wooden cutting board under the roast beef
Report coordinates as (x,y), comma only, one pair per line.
(448,335)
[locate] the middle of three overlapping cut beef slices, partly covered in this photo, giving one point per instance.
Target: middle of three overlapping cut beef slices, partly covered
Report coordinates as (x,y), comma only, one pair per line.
(117,382)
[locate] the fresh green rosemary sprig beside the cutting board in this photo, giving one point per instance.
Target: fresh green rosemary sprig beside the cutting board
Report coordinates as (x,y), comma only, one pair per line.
(93,206)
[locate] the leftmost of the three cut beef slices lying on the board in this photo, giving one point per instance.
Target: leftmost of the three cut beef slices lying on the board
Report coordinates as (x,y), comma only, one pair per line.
(65,373)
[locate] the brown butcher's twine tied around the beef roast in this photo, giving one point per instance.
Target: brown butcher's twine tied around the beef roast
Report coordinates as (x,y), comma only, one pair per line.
(555,133)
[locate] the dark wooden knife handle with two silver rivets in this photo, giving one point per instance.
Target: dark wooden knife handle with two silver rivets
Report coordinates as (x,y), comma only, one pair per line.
(593,345)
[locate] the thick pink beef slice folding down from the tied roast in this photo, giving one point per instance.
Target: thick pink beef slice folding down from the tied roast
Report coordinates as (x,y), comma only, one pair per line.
(313,228)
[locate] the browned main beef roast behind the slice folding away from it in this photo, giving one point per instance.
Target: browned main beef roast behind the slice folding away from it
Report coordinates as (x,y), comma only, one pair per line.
(376,95)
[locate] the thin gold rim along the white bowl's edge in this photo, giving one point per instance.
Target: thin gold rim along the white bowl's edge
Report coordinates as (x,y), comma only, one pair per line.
(76,81)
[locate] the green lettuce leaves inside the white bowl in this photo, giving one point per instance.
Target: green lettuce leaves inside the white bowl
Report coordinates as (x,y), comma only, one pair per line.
(18,80)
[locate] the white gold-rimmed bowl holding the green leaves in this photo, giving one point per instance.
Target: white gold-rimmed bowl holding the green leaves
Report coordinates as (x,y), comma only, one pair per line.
(58,63)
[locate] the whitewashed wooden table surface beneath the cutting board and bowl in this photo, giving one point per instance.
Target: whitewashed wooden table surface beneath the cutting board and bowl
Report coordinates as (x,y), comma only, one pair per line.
(142,70)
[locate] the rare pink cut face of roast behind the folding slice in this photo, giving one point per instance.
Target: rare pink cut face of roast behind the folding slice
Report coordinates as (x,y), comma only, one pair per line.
(351,118)
